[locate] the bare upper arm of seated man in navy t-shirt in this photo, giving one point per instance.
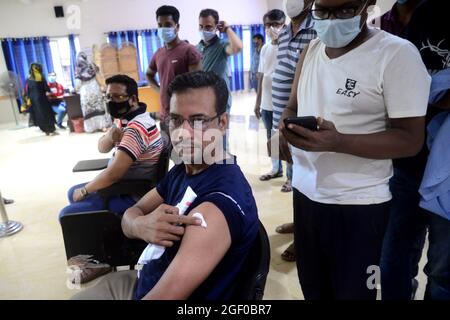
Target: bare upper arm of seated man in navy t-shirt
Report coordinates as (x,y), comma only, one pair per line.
(200,252)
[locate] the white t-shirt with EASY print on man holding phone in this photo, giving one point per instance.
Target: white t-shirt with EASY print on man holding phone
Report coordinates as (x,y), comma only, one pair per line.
(382,78)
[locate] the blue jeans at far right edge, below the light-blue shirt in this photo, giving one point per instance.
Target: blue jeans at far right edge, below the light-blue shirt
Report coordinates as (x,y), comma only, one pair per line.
(438,265)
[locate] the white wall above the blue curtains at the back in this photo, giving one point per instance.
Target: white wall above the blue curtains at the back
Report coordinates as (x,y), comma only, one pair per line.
(99,16)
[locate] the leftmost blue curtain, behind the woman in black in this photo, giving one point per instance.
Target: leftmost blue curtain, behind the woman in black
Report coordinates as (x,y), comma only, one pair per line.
(20,53)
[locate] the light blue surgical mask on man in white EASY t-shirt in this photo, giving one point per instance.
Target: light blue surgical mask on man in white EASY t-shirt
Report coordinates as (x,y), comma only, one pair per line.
(337,33)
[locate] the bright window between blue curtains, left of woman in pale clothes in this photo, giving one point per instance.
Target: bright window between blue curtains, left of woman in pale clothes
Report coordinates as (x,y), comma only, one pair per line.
(61,59)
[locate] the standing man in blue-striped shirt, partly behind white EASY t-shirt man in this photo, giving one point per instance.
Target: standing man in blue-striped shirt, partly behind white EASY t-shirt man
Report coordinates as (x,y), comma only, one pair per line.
(293,39)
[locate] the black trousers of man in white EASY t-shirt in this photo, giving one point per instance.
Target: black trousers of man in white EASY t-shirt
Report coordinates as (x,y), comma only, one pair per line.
(338,248)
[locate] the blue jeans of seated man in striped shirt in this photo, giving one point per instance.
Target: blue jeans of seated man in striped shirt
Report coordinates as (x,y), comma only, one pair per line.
(93,202)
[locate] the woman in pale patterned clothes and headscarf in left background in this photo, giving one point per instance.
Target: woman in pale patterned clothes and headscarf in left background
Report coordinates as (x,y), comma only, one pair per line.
(91,97)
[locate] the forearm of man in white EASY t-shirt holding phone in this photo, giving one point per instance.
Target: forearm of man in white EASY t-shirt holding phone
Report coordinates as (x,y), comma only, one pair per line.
(389,144)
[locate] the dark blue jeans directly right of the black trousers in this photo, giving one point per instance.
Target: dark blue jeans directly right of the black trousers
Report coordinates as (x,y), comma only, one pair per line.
(404,239)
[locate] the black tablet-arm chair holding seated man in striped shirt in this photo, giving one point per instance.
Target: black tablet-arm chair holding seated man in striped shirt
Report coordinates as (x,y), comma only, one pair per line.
(99,233)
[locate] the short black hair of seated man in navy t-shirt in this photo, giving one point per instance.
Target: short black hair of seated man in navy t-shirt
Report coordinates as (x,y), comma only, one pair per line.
(202,79)
